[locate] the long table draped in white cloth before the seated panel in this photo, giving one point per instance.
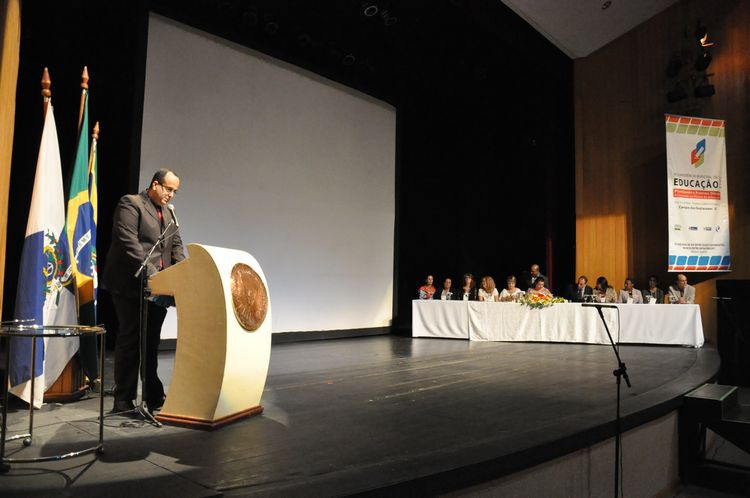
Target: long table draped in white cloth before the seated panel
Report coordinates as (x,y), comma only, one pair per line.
(563,322)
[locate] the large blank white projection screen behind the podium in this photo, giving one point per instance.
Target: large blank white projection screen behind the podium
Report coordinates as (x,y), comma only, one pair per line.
(279,162)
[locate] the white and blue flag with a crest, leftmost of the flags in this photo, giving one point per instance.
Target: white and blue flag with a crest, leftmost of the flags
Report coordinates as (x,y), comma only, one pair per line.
(44,292)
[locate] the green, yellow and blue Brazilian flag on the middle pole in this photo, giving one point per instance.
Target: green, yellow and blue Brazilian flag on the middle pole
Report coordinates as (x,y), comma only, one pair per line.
(80,228)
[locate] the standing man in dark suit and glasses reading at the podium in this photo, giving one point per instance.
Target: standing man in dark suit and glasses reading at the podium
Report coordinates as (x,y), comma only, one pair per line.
(139,220)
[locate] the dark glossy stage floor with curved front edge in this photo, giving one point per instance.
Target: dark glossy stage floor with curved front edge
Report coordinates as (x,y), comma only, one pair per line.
(386,414)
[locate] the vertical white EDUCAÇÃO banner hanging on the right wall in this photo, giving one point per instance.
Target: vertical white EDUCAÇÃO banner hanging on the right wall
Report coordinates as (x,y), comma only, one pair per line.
(697,195)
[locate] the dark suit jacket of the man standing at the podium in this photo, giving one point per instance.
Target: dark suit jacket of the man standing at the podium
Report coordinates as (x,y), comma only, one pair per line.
(135,228)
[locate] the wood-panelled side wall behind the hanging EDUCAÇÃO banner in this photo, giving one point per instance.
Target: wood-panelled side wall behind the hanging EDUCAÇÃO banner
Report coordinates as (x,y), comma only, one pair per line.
(620,101)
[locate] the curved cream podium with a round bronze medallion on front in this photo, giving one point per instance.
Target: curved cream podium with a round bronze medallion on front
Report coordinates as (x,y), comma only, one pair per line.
(224,337)
